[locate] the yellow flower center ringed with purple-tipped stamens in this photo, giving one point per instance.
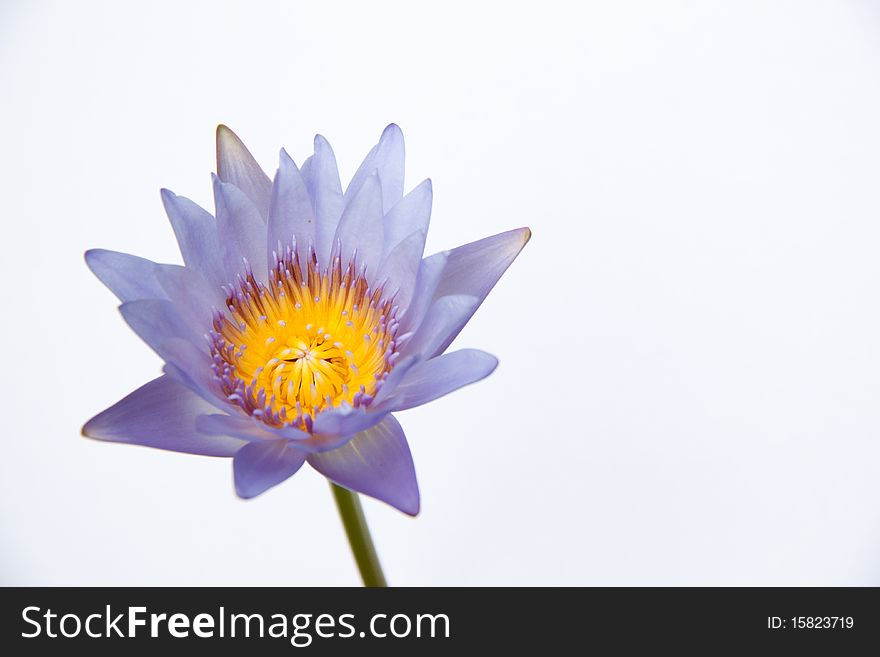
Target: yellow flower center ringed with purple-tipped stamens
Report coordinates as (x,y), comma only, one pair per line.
(306,341)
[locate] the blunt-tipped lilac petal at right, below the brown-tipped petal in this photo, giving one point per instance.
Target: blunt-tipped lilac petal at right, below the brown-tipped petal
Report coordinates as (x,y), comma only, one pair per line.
(428,380)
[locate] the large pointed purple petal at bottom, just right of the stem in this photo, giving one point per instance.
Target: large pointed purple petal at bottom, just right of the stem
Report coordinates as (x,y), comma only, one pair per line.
(376,462)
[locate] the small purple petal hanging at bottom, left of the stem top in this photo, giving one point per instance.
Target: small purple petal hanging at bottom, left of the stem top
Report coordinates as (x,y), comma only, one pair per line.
(260,465)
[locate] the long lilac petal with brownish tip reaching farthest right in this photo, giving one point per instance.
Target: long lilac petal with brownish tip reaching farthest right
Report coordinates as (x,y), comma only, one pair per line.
(474,269)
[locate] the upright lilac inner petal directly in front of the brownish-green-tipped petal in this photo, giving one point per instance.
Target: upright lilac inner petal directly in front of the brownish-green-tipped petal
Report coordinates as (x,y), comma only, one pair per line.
(242,232)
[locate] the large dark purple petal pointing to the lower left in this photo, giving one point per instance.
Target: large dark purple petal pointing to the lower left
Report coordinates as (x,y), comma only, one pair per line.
(160,414)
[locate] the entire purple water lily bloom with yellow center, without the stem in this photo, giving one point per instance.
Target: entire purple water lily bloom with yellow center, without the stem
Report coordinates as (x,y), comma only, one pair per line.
(304,316)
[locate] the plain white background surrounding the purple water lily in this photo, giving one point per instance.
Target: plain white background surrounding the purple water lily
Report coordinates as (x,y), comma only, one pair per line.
(689,389)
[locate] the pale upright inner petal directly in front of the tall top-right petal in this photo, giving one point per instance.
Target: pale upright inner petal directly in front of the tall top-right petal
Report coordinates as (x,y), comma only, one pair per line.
(360,228)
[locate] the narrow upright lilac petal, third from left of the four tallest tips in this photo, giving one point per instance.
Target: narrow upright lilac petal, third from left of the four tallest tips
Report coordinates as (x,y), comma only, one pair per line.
(322,180)
